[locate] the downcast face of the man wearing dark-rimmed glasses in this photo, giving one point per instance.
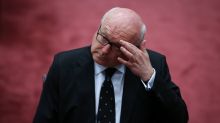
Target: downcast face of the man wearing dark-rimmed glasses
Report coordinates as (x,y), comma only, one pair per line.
(105,47)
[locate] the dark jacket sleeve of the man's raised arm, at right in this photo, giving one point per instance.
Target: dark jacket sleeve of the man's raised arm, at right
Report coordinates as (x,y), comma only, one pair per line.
(167,94)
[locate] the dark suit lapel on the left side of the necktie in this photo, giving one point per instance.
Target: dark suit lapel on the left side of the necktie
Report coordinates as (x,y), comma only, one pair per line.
(87,86)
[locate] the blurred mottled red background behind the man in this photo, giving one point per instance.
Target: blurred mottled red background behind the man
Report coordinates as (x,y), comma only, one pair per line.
(32,31)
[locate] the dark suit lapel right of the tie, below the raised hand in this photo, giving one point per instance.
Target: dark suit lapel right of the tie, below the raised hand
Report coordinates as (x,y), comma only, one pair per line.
(129,94)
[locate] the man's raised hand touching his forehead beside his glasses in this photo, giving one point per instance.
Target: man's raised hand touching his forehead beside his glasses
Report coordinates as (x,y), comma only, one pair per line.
(138,59)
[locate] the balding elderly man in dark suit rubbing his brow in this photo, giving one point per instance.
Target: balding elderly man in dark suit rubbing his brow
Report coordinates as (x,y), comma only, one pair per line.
(115,80)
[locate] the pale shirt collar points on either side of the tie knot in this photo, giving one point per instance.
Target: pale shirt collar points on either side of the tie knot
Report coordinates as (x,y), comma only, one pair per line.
(99,68)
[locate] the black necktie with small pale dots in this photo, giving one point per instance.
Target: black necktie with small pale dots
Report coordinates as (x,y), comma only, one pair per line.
(106,109)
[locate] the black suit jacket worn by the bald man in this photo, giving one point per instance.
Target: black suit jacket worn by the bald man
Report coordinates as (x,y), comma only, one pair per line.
(68,94)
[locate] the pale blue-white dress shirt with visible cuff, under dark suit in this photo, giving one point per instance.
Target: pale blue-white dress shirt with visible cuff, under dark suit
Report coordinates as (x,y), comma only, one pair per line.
(118,84)
